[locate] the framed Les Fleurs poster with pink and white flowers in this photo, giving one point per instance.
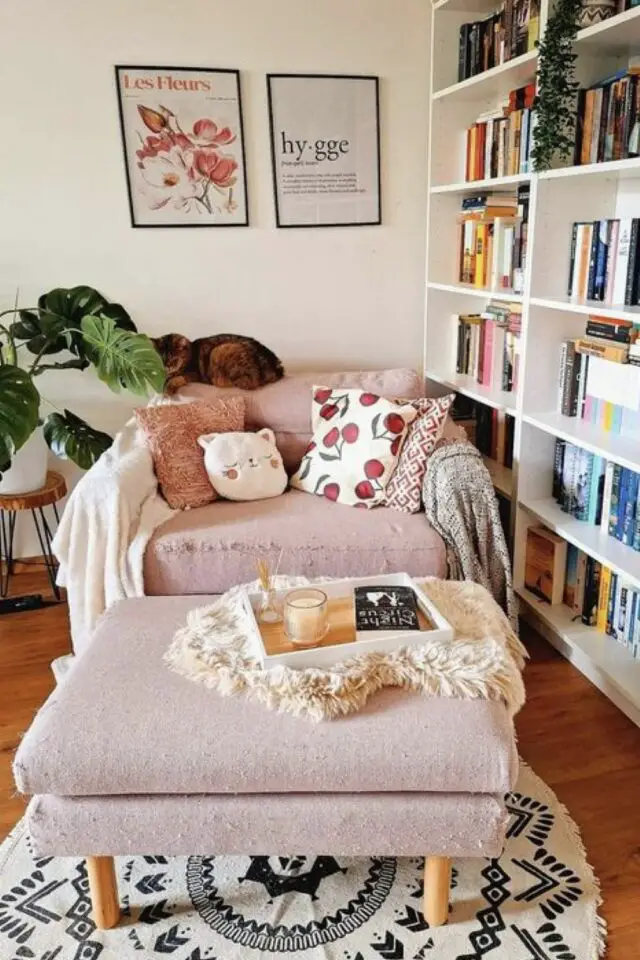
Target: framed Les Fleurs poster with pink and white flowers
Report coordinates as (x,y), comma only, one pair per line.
(184,146)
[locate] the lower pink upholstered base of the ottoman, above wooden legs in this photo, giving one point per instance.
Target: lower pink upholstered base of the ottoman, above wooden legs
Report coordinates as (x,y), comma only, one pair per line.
(347,824)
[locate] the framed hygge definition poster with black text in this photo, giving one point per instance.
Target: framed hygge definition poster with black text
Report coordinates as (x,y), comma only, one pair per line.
(325,149)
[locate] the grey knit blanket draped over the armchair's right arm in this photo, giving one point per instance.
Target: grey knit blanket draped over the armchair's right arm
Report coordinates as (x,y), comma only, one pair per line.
(461,505)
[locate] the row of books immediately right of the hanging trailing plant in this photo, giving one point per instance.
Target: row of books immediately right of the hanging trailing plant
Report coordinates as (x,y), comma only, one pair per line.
(608,120)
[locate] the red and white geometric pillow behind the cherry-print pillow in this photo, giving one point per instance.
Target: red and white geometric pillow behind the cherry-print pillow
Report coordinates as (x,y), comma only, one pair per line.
(404,490)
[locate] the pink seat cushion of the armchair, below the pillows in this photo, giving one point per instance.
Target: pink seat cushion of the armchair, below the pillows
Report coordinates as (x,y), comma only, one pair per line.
(215,547)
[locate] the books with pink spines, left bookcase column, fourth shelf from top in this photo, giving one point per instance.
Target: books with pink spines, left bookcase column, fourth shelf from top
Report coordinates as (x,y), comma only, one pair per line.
(487,345)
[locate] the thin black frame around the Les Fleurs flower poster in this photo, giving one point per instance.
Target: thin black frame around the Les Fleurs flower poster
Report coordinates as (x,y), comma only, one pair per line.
(118,69)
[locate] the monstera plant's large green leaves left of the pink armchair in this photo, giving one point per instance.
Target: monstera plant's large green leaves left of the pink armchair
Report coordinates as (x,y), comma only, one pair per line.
(69,329)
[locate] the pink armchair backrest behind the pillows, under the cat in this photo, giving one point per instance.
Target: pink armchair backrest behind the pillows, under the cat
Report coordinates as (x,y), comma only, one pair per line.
(285,406)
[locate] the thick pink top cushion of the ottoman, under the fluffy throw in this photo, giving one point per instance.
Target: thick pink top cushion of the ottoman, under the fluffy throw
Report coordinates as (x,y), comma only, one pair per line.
(123,723)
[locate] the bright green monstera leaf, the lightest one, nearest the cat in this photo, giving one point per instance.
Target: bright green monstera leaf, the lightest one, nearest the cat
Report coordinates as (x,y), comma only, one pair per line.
(121,358)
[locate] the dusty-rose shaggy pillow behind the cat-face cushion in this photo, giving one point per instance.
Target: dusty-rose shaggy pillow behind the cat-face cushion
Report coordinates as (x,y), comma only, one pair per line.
(172,432)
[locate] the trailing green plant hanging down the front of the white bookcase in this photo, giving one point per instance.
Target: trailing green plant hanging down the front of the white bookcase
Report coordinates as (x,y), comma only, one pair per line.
(555,104)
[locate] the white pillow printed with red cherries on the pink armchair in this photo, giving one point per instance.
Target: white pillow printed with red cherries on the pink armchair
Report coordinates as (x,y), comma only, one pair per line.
(357,439)
